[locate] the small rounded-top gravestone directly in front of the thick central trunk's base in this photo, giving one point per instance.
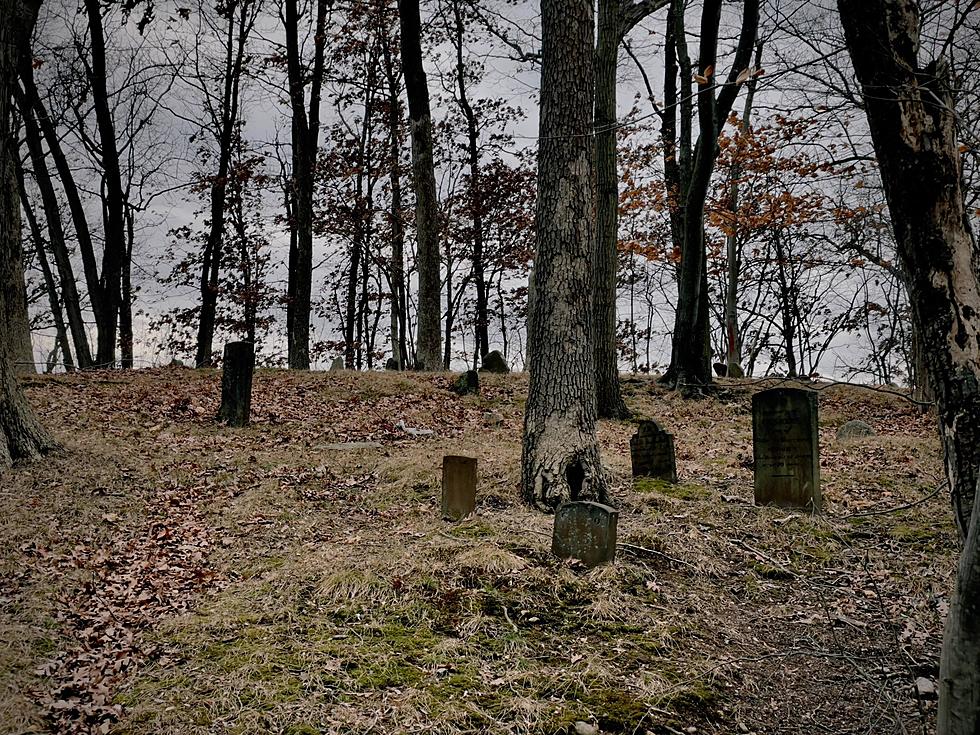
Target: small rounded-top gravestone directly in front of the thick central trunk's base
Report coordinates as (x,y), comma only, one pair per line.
(585,530)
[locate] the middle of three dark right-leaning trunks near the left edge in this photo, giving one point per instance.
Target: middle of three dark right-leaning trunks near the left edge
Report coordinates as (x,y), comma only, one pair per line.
(56,234)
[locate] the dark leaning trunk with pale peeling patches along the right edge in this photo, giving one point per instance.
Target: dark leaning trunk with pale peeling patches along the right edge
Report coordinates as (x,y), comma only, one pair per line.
(913,127)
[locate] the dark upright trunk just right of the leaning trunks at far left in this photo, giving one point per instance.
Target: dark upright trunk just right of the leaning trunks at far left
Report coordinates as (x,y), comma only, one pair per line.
(113,199)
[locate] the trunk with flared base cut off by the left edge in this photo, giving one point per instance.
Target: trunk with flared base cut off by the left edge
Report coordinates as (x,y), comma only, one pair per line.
(21,434)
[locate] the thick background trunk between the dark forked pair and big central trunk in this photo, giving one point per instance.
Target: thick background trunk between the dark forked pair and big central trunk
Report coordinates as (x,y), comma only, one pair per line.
(429,340)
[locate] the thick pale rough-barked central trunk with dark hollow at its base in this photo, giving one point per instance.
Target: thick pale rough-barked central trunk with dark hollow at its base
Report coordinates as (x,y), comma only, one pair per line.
(560,459)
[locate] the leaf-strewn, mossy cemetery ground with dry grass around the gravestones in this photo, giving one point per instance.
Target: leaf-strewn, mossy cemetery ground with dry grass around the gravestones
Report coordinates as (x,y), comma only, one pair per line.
(164,574)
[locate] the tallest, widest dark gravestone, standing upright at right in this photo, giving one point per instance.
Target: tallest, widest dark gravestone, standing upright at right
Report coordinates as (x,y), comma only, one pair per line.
(785,443)
